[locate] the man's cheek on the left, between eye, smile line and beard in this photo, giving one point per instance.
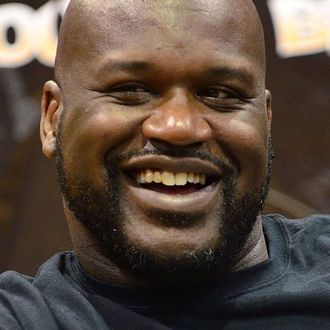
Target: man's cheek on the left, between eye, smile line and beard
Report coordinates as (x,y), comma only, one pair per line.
(88,135)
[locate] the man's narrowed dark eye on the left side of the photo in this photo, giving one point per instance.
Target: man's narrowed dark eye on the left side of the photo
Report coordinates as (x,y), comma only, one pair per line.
(131,93)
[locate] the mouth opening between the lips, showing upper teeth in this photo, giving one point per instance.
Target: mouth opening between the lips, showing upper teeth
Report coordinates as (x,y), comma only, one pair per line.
(175,183)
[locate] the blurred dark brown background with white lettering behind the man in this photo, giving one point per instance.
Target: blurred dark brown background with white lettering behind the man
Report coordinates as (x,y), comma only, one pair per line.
(32,225)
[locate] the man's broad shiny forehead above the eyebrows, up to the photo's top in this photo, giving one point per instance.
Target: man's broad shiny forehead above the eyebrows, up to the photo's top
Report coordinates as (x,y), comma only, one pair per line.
(188,30)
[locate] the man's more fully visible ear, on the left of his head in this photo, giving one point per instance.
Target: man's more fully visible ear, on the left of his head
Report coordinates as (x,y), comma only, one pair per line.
(51,109)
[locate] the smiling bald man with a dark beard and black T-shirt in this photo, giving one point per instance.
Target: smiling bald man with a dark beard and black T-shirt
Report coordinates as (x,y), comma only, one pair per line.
(159,125)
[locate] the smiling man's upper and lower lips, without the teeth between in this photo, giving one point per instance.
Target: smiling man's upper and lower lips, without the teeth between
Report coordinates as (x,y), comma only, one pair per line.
(199,201)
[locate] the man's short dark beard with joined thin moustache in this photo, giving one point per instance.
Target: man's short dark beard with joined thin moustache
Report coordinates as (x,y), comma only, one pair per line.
(101,211)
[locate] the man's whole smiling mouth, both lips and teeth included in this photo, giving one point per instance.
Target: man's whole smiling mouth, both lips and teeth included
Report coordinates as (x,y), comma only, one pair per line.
(172,185)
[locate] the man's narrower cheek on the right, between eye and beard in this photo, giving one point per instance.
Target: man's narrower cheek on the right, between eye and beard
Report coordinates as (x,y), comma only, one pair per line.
(246,144)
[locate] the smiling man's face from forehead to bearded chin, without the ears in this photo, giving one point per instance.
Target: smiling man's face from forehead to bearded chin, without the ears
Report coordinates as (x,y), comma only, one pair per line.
(163,145)
